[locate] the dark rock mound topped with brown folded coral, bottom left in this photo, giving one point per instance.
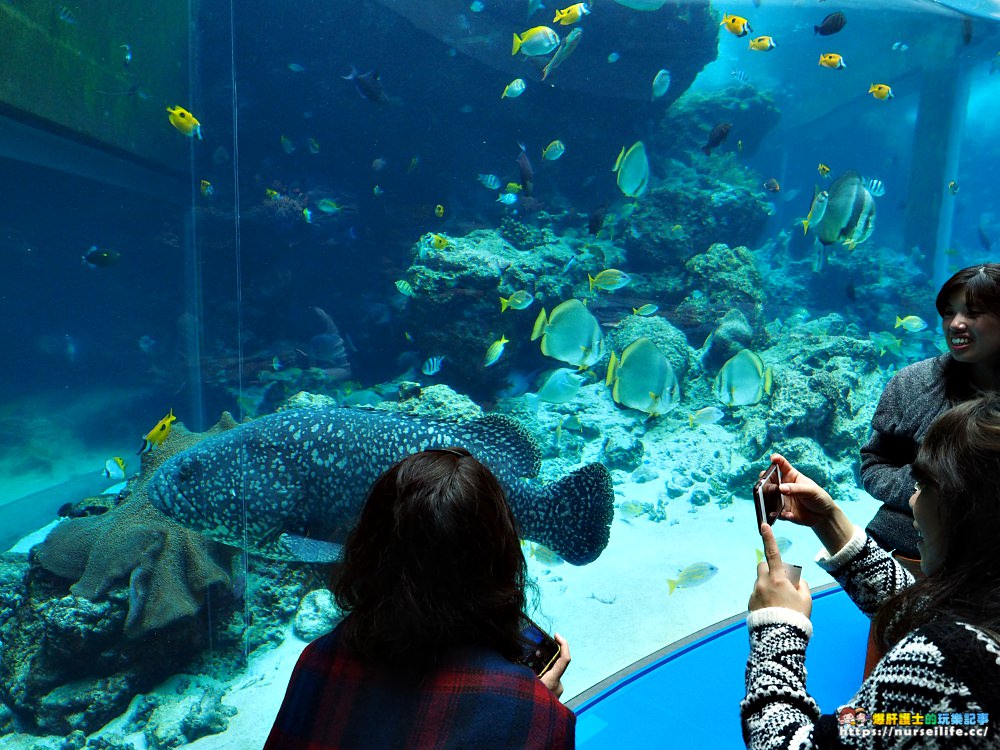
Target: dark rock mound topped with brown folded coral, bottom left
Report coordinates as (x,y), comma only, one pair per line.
(66,662)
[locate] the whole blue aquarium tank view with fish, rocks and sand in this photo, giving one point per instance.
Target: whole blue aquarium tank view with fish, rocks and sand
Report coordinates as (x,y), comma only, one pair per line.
(621,250)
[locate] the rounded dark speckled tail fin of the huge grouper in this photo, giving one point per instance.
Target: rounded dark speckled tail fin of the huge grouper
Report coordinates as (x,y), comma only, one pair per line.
(572,517)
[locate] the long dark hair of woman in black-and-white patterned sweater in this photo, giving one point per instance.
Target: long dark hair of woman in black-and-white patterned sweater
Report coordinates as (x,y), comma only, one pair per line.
(959,458)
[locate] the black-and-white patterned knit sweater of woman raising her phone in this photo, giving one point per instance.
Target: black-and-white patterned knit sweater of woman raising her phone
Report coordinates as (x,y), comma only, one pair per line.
(942,669)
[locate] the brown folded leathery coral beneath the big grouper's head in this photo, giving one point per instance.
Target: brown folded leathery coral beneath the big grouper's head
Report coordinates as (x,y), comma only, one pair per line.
(166,567)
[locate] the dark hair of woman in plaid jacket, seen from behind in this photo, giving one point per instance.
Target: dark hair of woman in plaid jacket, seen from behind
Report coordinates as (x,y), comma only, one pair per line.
(434,562)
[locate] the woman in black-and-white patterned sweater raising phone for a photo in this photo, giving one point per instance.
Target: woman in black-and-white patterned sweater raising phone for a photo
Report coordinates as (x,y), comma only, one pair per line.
(941,634)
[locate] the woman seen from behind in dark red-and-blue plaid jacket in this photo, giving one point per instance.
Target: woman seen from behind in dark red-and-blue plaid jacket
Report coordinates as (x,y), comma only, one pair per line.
(433,588)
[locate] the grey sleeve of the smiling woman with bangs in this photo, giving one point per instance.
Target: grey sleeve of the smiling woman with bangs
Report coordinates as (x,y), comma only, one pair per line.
(910,402)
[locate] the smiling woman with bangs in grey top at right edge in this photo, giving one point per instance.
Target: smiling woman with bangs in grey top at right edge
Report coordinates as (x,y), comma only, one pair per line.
(969,306)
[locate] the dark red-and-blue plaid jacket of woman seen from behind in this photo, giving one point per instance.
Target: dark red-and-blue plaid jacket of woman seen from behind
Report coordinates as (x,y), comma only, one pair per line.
(475,699)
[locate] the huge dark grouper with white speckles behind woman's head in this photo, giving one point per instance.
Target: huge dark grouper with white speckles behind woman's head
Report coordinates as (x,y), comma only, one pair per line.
(304,473)
